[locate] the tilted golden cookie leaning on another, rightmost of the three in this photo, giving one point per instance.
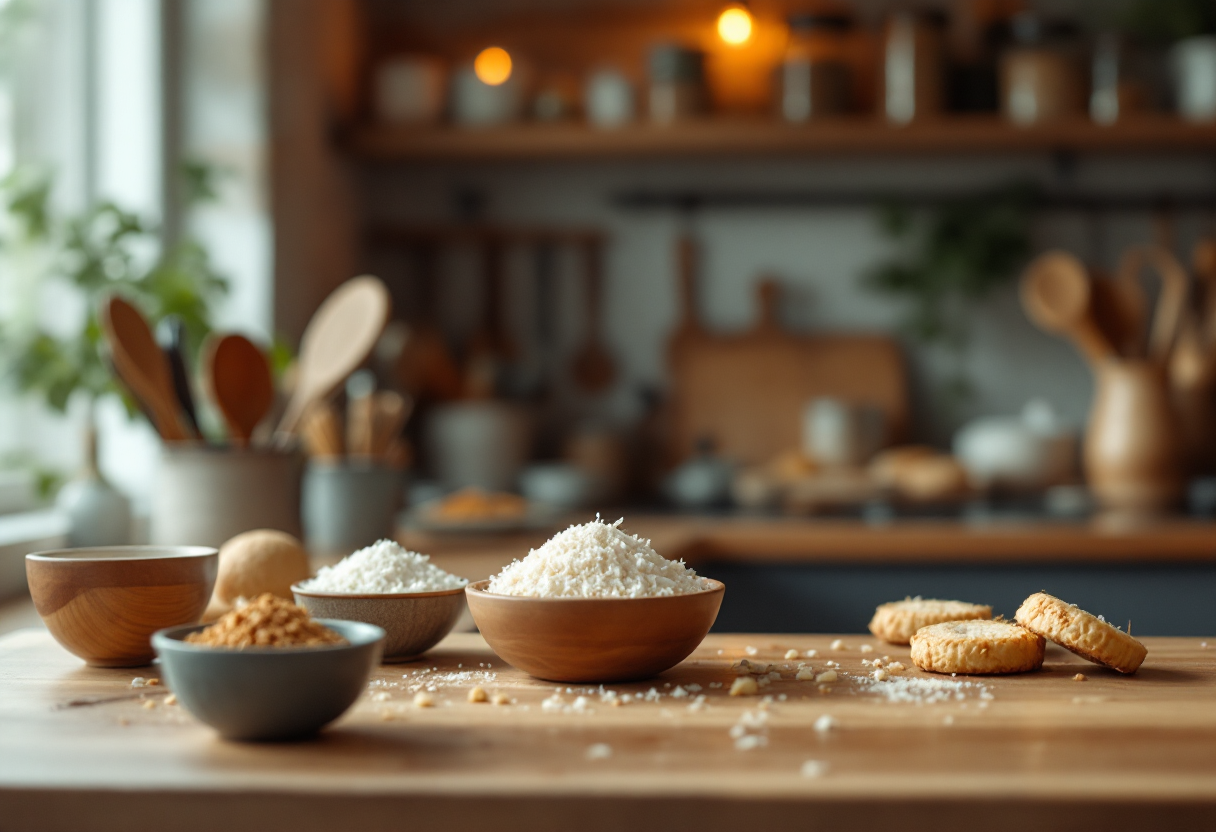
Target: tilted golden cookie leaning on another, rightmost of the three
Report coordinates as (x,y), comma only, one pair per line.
(1089,637)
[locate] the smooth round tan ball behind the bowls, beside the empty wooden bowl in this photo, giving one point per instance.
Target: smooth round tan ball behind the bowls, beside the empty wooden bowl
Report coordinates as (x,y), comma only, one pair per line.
(256,563)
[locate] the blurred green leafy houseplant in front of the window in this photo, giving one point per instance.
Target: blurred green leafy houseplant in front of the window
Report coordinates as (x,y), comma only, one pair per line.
(100,251)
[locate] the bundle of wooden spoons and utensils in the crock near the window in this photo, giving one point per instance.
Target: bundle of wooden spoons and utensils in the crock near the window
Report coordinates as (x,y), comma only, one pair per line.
(237,372)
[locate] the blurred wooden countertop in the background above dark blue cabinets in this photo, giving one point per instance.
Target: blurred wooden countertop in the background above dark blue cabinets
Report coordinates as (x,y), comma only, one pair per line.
(741,539)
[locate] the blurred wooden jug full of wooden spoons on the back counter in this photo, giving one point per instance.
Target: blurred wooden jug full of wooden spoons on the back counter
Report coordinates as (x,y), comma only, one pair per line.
(1136,449)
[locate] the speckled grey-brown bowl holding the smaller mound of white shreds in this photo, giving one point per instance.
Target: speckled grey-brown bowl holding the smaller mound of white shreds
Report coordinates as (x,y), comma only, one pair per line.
(414,622)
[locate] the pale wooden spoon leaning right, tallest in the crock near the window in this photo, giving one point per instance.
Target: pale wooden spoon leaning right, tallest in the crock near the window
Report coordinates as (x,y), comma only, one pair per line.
(340,338)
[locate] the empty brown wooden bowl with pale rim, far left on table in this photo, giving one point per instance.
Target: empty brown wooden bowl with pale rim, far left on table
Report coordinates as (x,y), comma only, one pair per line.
(105,604)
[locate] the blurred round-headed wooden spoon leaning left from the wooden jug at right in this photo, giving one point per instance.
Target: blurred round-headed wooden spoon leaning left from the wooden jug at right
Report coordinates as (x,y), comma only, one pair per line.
(1057,296)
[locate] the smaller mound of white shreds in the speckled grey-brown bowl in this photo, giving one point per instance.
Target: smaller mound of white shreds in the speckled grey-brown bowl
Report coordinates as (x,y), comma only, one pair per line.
(384,569)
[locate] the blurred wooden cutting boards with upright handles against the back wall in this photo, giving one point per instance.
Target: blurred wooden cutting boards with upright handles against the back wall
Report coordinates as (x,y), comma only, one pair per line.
(747,392)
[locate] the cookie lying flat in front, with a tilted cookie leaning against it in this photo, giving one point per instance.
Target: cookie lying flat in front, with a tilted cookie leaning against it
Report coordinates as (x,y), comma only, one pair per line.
(978,648)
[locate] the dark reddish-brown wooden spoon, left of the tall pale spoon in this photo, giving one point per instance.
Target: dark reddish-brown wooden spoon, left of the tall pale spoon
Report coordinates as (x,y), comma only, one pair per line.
(241,384)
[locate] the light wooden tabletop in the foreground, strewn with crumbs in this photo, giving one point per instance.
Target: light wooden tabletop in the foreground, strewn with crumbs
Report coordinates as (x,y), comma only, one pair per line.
(1038,751)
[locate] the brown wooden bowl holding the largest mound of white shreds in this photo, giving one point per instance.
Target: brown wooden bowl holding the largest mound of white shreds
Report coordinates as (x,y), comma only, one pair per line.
(594,640)
